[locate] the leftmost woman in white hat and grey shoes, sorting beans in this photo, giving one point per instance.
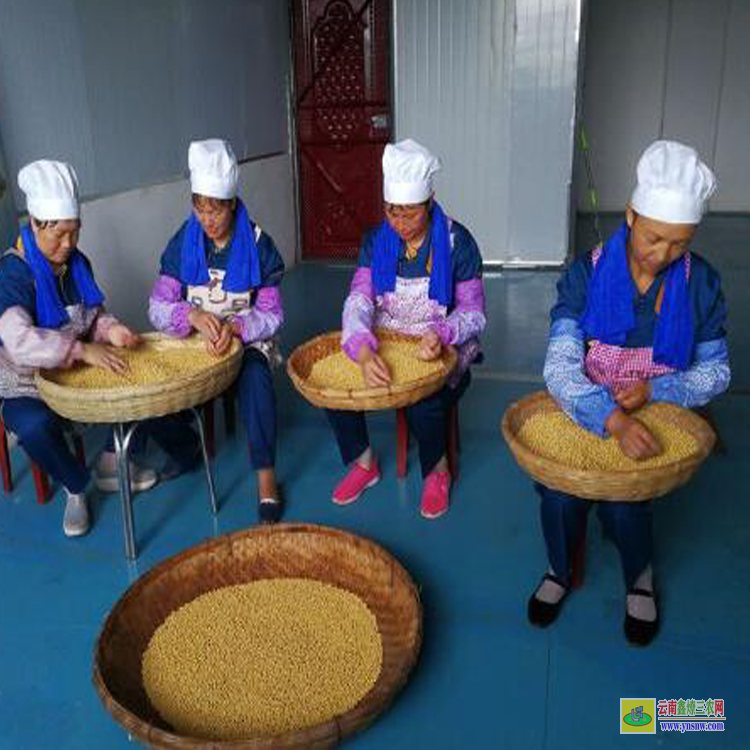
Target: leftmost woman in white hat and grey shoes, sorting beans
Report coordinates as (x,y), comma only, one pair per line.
(52,315)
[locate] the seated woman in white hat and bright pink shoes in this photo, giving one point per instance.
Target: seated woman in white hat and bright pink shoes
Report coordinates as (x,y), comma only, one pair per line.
(419,272)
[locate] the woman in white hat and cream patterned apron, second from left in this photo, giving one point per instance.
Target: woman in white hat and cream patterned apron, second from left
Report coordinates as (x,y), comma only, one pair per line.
(220,276)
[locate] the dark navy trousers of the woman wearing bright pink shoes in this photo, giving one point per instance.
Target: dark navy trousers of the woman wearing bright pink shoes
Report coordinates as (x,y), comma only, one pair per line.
(427,420)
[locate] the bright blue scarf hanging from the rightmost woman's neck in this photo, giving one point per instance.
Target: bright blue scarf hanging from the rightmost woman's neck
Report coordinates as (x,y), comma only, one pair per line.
(610,313)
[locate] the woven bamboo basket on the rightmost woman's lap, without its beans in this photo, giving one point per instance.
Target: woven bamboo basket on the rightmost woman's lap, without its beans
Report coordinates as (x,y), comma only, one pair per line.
(635,485)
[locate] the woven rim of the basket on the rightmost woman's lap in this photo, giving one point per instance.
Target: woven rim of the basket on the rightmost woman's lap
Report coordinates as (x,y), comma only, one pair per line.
(701,431)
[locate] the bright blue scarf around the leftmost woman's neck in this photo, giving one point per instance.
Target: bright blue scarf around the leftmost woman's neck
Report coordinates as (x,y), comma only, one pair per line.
(50,310)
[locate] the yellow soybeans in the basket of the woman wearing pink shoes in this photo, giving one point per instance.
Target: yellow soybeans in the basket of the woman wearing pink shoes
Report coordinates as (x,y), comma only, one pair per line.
(338,371)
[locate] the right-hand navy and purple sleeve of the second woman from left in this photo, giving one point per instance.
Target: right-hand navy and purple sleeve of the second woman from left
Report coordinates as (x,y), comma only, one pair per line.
(265,317)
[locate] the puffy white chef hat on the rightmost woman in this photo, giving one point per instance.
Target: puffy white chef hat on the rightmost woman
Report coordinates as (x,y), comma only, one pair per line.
(673,184)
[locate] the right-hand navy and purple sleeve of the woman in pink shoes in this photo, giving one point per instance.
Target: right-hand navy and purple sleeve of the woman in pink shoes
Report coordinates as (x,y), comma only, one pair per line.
(467,319)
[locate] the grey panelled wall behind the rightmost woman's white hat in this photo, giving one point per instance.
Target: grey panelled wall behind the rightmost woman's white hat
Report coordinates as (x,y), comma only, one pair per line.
(667,69)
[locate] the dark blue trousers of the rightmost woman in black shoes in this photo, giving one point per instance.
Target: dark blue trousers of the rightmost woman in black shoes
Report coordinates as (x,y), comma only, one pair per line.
(629,525)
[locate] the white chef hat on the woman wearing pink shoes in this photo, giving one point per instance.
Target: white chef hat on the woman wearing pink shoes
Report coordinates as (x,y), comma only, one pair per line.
(407,172)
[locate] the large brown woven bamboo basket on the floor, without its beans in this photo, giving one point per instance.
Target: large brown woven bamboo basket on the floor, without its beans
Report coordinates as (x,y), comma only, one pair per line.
(283,551)
